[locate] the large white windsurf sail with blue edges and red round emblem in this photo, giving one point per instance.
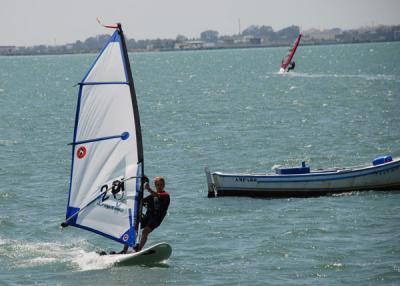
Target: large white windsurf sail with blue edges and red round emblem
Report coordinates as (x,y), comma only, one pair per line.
(107,155)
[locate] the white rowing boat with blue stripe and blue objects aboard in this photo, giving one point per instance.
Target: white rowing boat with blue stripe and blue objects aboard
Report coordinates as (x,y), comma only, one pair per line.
(383,174)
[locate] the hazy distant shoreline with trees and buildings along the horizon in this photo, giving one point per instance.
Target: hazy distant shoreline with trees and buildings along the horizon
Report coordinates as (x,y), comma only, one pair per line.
(252,37)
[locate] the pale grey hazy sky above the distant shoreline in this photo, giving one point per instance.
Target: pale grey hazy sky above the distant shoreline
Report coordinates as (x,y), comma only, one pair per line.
(57,22)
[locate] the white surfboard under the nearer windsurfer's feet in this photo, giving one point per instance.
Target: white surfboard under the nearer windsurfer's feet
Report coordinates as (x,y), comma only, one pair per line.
(148,256)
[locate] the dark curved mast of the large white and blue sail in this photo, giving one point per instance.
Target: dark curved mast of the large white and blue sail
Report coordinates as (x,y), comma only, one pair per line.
(137,121)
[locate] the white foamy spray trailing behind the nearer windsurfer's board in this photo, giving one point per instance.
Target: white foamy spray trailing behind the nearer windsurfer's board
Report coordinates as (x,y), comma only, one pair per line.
(22,255)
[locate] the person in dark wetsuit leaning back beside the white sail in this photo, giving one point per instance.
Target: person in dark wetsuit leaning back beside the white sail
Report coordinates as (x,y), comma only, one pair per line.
(157,204)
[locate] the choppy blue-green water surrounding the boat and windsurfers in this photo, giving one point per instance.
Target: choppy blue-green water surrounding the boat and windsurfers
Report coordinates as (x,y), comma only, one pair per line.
(229,110)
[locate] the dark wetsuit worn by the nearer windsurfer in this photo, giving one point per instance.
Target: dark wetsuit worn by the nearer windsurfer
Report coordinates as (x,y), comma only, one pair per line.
(156,210)
